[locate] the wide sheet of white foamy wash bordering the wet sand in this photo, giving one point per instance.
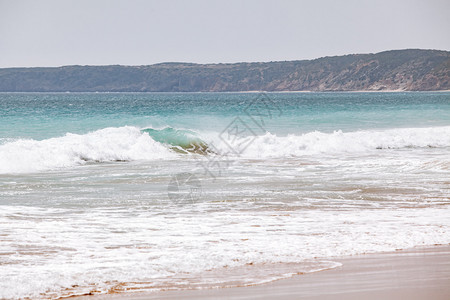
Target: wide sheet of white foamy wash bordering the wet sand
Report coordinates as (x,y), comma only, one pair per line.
(146,249)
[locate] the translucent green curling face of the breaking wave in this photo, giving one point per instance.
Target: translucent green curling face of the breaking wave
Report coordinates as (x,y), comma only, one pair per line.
(182,141)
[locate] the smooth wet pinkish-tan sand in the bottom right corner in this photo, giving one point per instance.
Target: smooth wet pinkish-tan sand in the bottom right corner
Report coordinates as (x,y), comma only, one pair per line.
(419,273)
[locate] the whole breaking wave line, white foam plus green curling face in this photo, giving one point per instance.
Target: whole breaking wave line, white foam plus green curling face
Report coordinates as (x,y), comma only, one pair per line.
(132,143)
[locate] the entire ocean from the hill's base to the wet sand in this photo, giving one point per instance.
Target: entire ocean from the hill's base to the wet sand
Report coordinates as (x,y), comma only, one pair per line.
(125,192)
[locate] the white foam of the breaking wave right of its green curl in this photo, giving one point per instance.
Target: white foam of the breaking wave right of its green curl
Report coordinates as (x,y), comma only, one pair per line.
(312,143)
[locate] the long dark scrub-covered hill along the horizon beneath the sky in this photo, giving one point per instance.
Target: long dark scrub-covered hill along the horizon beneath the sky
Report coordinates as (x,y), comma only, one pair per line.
(409,70)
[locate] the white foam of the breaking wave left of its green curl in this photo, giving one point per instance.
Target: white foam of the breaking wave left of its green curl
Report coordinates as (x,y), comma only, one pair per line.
(109,144)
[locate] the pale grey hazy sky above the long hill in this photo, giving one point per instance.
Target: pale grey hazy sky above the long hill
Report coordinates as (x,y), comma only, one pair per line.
(135,32)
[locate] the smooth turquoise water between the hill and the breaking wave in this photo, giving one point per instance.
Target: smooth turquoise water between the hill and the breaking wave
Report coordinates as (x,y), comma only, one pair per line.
(40,116)
